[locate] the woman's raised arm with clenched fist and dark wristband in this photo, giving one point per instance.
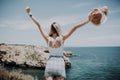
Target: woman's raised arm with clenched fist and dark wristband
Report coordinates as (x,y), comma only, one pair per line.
(37,23)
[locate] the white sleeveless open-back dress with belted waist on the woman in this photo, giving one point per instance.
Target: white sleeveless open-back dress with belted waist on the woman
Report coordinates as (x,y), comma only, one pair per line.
(55,65)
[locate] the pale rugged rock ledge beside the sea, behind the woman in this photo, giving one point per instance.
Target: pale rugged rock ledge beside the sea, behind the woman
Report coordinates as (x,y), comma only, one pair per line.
(27,56)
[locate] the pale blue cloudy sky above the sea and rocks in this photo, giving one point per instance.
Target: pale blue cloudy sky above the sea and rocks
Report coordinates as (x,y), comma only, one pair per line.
(17,28)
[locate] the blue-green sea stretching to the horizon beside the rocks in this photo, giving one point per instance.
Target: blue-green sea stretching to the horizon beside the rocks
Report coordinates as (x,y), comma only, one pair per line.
(91,63)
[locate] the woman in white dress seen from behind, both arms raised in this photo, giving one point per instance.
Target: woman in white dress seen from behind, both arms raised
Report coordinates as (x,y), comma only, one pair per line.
(55,40)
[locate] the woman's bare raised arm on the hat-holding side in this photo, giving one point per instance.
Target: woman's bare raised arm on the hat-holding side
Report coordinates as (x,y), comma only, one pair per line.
(74,29)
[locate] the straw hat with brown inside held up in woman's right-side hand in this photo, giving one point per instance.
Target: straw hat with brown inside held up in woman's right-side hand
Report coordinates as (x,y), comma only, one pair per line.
(99,15)
